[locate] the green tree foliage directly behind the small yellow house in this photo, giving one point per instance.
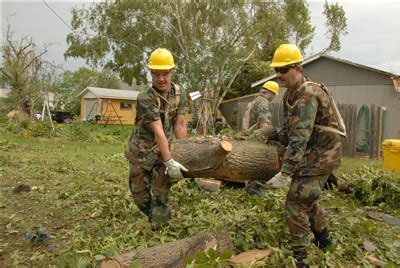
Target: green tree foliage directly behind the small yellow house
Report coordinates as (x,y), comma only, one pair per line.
(73,82)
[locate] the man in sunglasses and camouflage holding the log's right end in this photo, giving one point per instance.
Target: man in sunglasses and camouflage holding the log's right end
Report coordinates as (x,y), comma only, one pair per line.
(312,132)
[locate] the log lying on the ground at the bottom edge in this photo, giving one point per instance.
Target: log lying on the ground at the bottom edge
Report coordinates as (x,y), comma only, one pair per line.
(171,254)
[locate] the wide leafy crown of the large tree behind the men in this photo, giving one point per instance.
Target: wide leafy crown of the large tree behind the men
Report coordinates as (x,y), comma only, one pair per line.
(211,40)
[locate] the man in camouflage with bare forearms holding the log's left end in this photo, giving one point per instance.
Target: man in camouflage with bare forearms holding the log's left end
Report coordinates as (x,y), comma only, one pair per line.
(160,114)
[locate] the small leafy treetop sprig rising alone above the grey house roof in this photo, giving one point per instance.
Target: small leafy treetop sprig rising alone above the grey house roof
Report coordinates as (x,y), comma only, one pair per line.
(336,23)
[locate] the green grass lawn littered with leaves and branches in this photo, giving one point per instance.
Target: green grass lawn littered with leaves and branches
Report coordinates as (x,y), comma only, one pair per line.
(80,196)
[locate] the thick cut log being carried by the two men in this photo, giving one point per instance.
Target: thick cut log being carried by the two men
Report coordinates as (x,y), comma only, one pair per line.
(226,158)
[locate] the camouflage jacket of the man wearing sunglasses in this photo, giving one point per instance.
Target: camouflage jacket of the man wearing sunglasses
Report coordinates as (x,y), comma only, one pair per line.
(310,150)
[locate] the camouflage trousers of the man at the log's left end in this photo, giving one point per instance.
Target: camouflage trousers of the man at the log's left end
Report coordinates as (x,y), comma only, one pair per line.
(150,191)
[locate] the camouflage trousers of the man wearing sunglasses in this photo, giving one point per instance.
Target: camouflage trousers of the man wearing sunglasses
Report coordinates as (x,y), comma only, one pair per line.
(302,210)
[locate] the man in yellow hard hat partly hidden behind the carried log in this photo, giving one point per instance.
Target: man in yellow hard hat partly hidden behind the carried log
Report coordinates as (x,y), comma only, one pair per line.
(257,116)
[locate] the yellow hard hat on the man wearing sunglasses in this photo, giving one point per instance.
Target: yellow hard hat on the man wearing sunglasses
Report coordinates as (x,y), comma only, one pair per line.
(286,54)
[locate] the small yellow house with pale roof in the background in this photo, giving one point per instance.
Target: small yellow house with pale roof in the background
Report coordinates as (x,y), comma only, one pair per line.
(108,106)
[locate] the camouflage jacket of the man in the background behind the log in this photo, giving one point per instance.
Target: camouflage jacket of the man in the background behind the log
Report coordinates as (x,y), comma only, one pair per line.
(257,112)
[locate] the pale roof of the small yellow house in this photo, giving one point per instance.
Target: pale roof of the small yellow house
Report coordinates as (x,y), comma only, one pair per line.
(108,93)
